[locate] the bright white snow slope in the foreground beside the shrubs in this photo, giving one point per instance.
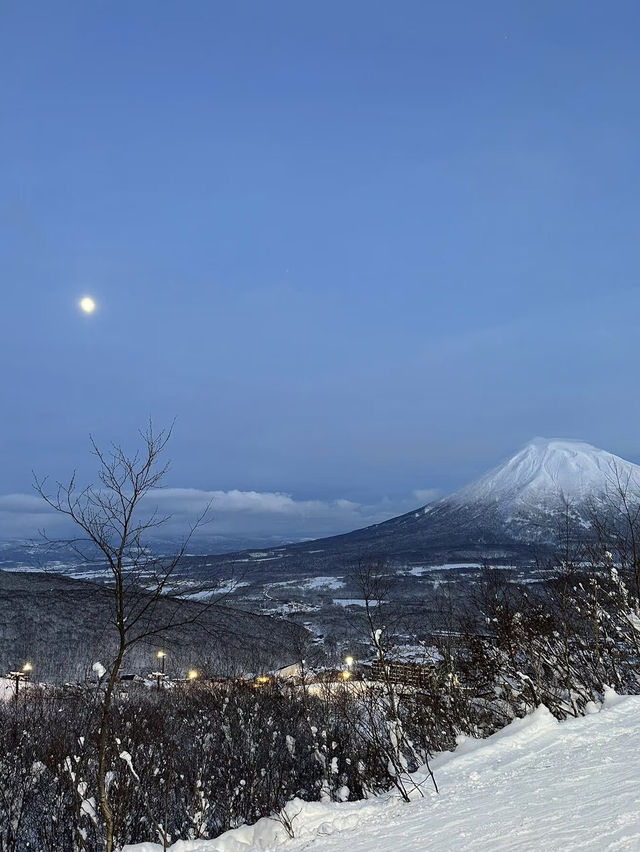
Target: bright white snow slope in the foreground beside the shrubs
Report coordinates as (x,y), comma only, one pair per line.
(535,785)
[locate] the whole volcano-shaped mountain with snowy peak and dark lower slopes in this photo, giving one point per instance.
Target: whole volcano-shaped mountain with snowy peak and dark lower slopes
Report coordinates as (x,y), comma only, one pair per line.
(513,511)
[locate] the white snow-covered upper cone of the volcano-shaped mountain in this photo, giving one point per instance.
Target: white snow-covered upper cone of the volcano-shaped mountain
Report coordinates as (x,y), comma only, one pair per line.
(546,469)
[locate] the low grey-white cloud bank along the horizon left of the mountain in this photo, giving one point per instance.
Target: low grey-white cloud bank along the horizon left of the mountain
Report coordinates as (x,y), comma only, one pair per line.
(252,516)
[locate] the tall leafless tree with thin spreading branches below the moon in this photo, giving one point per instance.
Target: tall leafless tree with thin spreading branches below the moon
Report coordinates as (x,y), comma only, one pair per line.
(143,596)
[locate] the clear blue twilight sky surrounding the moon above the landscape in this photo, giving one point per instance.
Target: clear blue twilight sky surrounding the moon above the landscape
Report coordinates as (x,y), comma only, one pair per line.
(358,249)
